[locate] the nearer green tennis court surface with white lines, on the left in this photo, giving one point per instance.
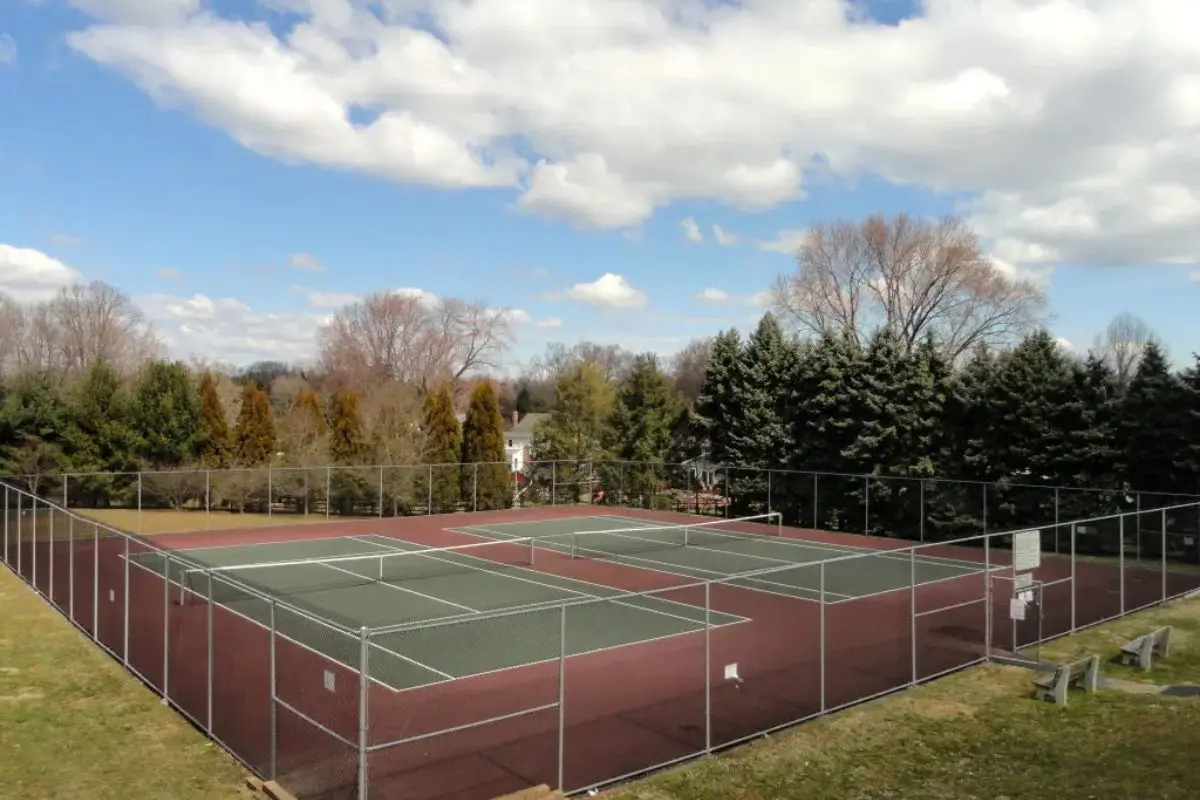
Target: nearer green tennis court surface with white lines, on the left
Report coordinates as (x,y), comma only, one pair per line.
(452,592)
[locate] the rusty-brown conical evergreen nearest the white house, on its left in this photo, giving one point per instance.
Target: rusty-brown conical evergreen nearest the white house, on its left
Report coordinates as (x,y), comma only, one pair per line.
(489,482)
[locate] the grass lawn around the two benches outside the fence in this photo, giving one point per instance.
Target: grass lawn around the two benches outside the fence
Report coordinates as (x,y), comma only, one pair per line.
(980,736)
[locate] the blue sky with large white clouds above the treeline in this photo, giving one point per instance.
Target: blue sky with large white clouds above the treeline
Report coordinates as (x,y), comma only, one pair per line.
(199,163)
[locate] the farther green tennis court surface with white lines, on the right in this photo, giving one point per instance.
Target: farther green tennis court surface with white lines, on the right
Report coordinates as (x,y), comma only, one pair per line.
(713,550)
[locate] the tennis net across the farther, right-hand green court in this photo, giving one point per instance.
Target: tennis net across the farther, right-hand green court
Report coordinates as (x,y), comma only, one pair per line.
(650,539)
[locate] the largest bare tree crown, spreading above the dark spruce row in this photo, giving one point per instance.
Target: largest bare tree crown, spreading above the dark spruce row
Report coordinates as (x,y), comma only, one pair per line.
(914,276)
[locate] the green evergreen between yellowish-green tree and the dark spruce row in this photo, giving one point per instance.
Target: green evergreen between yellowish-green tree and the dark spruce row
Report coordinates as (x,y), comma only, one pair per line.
(639,434)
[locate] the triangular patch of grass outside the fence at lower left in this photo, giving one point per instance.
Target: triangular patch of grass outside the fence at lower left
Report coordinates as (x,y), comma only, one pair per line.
(74,725)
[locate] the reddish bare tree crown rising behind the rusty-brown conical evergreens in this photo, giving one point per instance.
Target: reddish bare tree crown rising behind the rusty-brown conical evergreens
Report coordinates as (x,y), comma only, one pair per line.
(393,336)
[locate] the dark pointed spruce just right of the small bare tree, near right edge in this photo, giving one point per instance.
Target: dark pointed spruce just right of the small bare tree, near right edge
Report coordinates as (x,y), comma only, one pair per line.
(1153,417)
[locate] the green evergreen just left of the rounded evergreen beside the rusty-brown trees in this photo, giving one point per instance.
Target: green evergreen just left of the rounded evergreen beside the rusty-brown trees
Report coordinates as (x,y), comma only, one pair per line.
(99,436)
